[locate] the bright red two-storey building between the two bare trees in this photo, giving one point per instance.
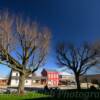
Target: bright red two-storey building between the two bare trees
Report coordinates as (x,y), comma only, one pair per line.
(52,77)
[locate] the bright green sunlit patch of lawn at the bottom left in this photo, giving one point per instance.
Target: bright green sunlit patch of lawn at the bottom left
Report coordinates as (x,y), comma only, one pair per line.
(28,96)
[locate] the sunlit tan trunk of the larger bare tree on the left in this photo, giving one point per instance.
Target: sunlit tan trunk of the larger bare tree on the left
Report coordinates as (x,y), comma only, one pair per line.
(21,84)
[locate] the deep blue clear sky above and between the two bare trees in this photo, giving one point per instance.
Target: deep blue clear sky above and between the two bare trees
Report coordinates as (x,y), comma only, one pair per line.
(70,20)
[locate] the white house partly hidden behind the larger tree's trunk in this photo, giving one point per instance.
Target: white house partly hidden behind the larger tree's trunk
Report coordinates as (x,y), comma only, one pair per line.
(15,79)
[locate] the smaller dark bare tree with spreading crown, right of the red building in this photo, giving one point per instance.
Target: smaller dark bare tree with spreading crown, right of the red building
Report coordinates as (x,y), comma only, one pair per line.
(79,60)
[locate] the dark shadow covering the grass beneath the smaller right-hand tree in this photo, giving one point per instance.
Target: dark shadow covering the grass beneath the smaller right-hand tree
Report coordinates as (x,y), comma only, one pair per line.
(83,94)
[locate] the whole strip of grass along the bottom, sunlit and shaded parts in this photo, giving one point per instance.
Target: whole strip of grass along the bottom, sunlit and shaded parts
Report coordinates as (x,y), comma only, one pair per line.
(44,96)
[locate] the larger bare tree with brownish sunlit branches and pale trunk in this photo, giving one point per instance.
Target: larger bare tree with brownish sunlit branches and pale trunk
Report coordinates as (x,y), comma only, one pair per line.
(24,45)
